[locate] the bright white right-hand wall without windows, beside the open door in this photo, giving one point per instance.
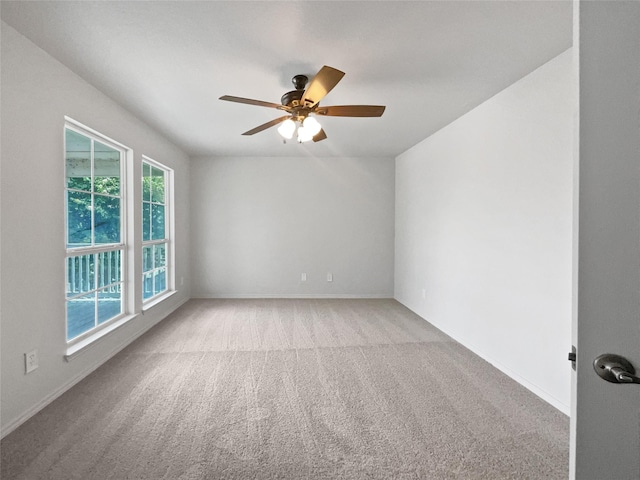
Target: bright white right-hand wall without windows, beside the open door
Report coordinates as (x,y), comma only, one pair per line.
(484,226)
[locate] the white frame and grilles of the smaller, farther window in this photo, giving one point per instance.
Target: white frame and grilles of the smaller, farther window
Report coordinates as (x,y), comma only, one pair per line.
(167,240)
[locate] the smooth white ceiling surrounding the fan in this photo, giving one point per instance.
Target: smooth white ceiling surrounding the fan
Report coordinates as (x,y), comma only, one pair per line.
(168,62)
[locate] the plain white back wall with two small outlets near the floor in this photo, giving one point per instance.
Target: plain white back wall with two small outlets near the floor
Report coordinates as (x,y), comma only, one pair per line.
(258,223)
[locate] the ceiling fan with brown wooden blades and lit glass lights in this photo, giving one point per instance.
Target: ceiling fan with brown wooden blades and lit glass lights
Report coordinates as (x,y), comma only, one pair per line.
(300,104)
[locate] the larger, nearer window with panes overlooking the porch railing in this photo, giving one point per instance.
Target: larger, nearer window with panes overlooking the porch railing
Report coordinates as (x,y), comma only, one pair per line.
(94,231)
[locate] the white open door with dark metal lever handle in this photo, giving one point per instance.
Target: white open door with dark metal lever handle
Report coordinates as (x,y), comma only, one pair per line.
(606,416)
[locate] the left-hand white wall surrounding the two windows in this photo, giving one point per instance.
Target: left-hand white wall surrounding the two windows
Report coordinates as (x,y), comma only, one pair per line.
(37,92)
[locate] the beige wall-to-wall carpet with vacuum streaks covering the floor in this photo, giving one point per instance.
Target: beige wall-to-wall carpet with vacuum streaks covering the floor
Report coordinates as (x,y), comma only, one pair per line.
(292,389)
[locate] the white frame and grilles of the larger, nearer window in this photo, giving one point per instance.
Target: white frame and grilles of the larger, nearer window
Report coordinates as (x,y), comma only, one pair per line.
(96,249)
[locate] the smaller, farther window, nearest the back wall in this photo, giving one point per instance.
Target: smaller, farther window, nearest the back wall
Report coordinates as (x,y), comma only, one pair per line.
(156,277)
